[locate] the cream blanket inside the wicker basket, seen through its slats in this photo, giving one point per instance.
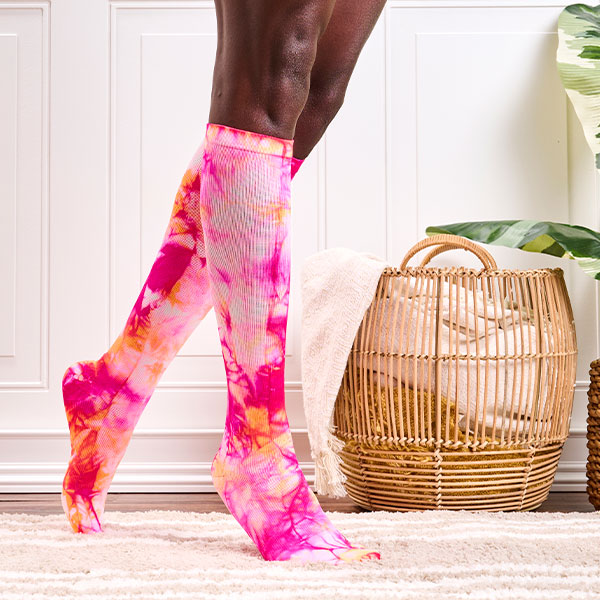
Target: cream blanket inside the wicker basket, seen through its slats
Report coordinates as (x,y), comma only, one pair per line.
(506,382)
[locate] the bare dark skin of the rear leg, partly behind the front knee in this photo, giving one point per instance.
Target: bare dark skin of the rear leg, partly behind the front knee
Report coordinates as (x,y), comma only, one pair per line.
(349,27)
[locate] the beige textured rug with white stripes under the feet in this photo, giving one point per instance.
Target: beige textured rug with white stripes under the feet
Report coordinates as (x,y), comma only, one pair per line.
(430,554)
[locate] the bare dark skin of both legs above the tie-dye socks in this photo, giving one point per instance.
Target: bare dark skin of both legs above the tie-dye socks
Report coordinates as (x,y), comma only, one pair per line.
(277,44)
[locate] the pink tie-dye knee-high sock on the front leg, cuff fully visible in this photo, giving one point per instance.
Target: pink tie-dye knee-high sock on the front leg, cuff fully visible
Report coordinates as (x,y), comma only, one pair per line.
(245,211)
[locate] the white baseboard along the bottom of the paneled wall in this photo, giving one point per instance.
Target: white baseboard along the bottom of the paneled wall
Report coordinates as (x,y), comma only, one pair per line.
(156,461)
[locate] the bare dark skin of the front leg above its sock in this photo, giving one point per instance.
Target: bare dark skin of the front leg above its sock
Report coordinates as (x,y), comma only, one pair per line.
(265,53)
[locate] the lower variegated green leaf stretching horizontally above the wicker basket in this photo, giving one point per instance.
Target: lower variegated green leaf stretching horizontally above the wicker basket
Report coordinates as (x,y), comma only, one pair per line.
(557,239)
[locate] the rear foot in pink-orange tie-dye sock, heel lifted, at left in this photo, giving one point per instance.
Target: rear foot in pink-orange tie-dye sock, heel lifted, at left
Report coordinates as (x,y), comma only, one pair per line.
(101,415)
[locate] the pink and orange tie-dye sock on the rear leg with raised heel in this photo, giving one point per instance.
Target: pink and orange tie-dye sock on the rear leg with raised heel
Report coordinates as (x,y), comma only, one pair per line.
(104,398)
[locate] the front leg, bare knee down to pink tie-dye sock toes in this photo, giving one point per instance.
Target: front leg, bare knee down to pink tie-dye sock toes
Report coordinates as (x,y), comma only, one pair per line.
(245,211)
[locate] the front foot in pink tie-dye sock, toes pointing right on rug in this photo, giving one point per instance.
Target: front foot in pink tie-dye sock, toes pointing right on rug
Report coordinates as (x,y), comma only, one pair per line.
(268,495)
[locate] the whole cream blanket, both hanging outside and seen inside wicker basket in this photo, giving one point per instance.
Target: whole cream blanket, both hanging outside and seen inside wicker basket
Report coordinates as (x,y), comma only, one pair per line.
(337,287)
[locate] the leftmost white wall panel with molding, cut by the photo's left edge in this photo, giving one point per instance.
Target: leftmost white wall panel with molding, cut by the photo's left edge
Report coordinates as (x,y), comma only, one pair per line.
(24,215)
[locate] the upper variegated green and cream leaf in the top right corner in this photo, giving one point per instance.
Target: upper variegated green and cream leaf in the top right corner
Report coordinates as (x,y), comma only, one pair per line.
(578,62)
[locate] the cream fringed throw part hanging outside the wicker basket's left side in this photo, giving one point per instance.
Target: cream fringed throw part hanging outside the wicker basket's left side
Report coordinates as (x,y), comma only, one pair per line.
(337,287)
